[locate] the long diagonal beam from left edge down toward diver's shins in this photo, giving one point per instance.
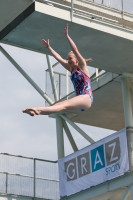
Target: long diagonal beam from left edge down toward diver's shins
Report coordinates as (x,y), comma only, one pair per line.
(44,95)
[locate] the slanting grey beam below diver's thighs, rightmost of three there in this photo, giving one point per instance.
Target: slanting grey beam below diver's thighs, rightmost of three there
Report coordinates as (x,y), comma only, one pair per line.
(78,129)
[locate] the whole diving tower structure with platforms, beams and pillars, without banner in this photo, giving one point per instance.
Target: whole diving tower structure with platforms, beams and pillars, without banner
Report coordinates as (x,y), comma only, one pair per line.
(106,35)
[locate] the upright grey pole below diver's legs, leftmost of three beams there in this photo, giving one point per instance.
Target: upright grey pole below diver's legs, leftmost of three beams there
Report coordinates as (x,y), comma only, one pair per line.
(60,138)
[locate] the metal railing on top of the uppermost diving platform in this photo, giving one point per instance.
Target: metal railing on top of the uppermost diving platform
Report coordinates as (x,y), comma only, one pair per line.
(118,12)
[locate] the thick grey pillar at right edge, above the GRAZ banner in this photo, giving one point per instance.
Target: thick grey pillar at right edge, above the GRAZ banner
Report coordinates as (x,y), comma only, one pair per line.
(127,103)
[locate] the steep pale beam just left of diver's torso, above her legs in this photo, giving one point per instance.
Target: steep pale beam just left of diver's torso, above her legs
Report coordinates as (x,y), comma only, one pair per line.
(52,78)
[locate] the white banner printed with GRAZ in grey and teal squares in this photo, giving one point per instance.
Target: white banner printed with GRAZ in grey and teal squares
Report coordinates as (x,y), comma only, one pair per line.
(95,164)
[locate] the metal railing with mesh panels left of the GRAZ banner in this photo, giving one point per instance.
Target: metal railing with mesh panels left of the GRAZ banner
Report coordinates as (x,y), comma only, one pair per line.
(31,177)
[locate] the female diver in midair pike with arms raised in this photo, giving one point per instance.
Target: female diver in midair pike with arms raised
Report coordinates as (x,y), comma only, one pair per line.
(80,78)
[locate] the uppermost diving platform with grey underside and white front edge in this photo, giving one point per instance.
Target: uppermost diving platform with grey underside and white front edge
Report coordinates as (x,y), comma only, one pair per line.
(101,38)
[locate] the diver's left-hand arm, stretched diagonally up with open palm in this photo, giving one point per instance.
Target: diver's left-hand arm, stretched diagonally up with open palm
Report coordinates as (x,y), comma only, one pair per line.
(63,62)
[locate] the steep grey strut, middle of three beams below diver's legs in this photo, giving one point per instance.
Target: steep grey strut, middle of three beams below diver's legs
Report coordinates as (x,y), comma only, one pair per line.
(69,135)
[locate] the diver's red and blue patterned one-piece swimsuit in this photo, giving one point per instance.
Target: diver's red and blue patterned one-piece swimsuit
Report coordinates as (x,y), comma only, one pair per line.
(81,83)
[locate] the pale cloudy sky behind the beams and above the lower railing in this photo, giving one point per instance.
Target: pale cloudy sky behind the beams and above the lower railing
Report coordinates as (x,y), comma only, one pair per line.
(21,134)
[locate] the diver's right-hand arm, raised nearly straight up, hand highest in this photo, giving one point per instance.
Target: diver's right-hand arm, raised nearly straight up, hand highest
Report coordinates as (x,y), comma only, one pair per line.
(74,48)
